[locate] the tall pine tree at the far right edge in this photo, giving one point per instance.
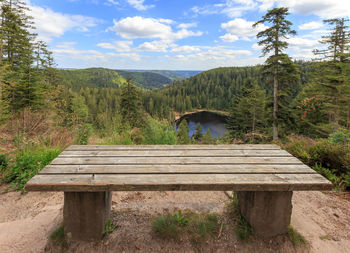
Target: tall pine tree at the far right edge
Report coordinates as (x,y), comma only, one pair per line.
(332,86)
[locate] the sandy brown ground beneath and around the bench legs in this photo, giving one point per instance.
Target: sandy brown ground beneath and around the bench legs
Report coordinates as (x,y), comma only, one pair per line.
(27,220)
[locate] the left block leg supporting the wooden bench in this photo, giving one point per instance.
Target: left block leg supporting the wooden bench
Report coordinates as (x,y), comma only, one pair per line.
(85,214)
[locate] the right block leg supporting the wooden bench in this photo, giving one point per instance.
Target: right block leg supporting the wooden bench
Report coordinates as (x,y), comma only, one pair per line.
(268,213)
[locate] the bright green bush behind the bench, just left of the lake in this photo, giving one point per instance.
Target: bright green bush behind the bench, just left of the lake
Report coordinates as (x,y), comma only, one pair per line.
(156,132)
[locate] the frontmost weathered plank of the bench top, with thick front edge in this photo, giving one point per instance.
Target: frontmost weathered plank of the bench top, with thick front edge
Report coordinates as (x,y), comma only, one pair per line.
(181,182)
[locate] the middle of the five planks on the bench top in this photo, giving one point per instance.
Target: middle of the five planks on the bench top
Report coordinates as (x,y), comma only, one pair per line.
(175,160)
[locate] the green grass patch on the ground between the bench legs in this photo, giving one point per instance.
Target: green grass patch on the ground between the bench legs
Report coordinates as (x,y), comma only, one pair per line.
(196,226)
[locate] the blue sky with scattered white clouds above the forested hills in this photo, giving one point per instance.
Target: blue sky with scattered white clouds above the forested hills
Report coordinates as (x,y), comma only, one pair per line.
(173,34)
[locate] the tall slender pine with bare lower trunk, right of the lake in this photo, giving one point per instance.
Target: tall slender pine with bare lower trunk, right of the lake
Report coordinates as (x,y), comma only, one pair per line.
(273,39)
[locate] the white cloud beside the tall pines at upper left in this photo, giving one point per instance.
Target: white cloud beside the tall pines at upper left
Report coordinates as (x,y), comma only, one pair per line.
(51,24)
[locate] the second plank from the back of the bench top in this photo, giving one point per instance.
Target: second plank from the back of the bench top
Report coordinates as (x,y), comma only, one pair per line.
(183,153)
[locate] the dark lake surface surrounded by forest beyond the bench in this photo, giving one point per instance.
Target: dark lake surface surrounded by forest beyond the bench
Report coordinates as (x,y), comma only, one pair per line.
(208,120)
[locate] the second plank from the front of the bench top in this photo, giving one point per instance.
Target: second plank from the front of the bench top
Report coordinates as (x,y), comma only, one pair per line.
(177,169)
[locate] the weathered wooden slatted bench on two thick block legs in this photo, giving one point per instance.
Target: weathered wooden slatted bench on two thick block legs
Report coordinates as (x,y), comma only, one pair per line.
(264,177)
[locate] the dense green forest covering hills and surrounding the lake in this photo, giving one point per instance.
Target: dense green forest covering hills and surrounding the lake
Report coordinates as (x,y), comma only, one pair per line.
(43,109)
